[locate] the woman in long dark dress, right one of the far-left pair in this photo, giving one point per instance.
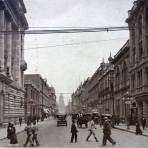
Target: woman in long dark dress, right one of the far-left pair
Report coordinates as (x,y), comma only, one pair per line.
(13,137)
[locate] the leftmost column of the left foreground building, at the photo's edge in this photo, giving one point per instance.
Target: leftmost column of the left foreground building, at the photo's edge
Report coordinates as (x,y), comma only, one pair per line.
(2,43)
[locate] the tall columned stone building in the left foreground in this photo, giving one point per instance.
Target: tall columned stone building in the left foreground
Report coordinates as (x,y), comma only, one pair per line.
(12,65)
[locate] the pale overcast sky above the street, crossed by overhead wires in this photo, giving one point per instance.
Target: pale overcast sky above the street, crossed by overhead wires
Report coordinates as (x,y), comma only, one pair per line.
(65,66)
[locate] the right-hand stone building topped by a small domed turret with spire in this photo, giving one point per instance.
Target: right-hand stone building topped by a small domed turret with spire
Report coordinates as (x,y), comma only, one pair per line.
(106,90)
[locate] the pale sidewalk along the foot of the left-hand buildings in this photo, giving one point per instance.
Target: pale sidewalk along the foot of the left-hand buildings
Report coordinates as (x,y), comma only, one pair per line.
(19,129)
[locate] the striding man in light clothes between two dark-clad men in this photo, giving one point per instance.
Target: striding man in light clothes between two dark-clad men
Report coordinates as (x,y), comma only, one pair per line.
(91,128)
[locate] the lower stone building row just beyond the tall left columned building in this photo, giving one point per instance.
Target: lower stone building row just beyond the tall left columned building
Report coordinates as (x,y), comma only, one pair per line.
(47,99)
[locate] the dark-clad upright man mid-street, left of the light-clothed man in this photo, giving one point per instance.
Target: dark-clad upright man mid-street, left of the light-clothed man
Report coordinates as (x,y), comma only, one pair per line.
(74,131)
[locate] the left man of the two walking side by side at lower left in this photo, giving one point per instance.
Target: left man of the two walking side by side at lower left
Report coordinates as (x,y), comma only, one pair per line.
(28,130)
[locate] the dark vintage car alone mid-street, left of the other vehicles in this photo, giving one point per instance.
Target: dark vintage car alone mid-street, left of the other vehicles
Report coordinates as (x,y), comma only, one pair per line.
(61,119)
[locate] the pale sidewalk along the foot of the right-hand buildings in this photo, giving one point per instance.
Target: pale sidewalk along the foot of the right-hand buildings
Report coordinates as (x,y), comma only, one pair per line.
(131,129)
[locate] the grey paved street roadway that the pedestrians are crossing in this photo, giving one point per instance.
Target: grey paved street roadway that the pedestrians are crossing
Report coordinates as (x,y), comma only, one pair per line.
(52,136)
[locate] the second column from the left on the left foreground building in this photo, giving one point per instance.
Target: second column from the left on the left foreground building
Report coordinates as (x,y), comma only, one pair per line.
(9,48)
